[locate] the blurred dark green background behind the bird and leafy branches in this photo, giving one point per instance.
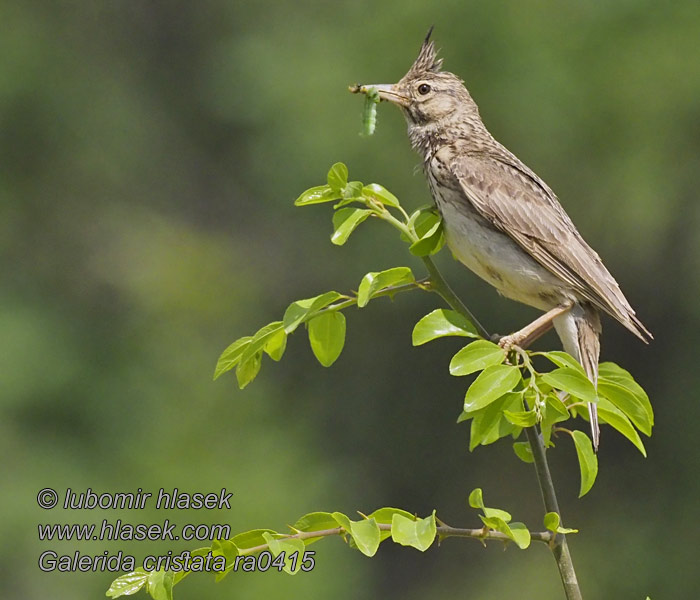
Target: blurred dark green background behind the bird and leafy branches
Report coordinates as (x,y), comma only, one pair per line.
(150,152)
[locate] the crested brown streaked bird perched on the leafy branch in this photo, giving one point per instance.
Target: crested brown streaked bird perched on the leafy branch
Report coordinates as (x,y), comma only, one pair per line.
(504,222)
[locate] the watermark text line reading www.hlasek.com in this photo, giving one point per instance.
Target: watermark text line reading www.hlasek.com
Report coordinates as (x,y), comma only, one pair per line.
(139,532)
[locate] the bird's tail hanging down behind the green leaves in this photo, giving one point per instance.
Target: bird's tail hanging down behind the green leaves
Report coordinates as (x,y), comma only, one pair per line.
(579,330)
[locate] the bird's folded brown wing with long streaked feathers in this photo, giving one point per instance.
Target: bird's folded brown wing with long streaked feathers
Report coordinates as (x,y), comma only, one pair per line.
(520,204)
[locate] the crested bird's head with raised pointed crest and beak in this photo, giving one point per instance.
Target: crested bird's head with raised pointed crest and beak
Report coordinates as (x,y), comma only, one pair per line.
(427,95)
